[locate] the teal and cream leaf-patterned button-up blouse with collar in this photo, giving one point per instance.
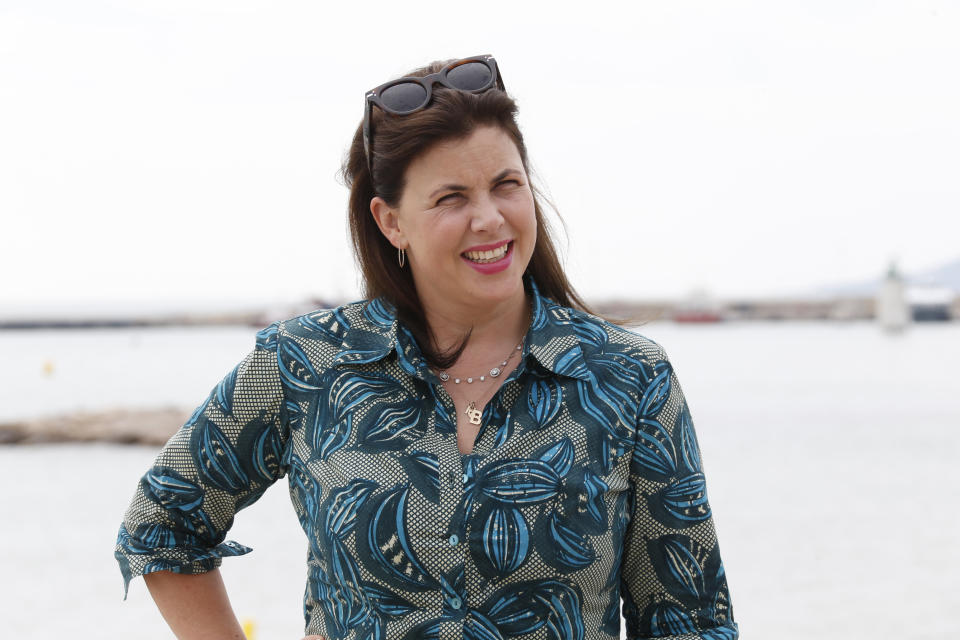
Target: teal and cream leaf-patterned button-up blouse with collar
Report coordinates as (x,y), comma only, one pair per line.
(584,485)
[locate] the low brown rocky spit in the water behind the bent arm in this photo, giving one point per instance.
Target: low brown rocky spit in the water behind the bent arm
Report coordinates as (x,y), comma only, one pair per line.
(118,426)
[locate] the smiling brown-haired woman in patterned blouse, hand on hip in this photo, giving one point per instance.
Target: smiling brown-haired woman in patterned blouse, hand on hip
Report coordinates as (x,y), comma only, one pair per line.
(470,453)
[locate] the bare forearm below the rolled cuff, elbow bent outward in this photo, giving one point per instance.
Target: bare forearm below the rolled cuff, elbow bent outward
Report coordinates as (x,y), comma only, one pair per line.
(195,606)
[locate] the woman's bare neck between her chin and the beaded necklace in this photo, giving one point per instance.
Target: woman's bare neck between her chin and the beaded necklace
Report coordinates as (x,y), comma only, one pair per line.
(491,326)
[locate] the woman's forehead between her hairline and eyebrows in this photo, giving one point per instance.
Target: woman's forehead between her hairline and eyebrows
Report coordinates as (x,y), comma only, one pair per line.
(486,152)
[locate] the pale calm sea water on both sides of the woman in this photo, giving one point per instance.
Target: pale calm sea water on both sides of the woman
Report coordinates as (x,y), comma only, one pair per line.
(830,452)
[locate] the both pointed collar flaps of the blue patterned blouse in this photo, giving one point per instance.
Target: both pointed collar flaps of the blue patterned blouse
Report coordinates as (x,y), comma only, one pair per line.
(551,339)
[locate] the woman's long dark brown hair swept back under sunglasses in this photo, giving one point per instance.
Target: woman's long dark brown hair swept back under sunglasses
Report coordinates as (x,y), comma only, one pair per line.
(396,141)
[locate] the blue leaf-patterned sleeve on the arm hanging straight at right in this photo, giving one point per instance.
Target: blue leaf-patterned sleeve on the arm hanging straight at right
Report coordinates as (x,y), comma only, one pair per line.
(673,582)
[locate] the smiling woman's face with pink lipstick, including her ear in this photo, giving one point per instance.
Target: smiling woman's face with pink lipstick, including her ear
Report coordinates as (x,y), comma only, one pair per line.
(466,220)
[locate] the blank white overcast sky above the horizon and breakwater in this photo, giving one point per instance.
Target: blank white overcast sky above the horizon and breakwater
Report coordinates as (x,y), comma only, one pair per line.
(170,151)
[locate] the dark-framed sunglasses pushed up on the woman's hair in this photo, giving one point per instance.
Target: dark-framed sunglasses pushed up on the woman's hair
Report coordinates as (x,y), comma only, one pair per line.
(409,94)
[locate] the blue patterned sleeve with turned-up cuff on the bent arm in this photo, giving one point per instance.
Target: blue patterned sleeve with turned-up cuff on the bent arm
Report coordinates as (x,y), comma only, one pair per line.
(220,461)
